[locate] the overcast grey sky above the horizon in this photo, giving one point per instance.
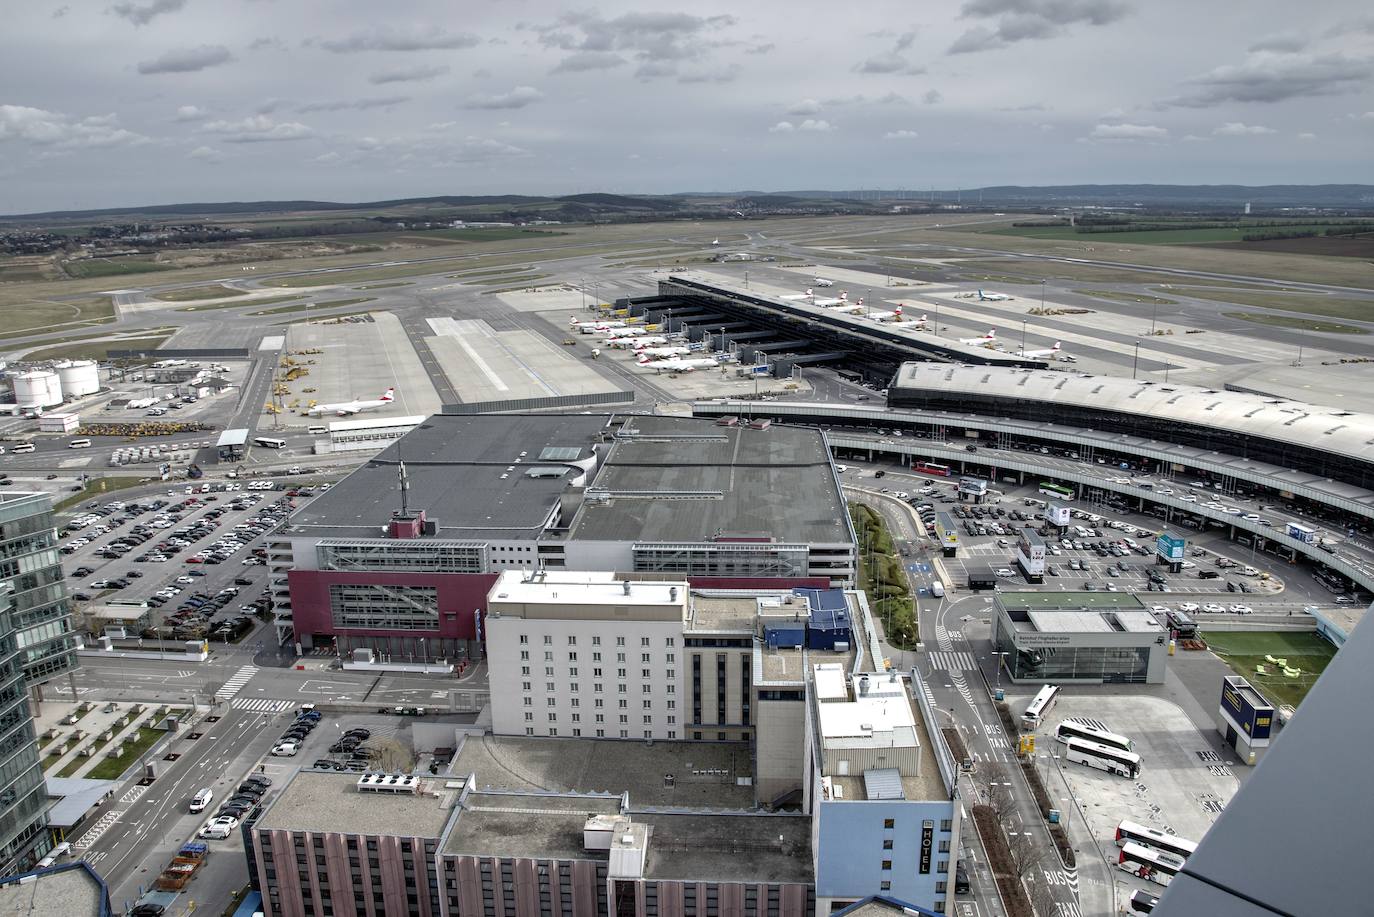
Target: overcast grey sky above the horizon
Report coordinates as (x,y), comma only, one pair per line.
(168,101)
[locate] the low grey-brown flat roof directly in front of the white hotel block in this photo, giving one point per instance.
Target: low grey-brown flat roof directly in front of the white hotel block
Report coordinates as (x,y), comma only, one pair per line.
(706,775)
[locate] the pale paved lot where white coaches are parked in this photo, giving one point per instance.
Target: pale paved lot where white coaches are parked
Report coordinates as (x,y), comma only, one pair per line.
(1185,782)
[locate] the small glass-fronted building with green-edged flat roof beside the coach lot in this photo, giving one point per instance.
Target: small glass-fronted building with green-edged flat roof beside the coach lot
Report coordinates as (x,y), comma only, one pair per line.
(1090,639)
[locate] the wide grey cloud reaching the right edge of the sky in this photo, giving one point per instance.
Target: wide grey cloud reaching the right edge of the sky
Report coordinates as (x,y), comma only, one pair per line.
(1276,78)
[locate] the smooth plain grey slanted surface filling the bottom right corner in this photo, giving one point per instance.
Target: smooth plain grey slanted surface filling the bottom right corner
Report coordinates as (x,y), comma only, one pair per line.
(1320,861)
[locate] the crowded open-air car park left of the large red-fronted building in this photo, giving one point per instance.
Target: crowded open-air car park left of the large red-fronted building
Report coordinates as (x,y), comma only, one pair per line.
(196,560)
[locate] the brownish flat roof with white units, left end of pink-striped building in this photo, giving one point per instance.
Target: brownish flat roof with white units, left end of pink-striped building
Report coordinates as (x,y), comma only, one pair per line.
(332,804)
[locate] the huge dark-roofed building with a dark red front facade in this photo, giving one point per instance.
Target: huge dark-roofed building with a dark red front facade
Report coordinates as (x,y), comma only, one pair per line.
(402,555)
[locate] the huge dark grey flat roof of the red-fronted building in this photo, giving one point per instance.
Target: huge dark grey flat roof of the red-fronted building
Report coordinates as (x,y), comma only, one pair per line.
(662,479)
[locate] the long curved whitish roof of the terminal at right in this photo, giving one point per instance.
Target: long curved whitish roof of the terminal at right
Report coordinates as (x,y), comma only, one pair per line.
(1331,430)
